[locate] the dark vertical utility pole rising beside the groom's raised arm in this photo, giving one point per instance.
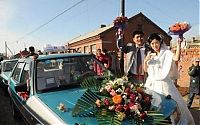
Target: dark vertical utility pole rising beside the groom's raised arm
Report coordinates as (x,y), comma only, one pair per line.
(121,53)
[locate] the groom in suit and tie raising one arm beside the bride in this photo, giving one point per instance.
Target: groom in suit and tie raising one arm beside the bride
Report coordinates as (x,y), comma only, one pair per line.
(135,53)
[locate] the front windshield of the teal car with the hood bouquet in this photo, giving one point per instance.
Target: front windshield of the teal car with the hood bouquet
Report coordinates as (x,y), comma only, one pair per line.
(63,73)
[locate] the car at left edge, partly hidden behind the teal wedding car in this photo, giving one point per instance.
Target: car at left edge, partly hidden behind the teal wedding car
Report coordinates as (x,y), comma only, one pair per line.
(6,68)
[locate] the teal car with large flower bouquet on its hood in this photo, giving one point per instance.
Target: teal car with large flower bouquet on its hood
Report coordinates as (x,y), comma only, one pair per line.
(38,86)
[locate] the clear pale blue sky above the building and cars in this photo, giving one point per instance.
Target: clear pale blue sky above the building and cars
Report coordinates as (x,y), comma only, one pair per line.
(25,23)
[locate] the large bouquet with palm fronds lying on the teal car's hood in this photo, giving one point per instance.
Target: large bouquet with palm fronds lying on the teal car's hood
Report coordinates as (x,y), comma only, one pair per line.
(116,102)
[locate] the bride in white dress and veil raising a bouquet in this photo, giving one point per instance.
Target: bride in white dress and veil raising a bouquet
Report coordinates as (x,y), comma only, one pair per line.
(161,68)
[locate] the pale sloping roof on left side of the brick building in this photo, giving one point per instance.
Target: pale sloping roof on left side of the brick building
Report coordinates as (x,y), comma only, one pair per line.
(90,34)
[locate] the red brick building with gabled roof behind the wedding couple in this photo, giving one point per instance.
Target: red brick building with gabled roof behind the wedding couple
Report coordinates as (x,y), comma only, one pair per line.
(104,37)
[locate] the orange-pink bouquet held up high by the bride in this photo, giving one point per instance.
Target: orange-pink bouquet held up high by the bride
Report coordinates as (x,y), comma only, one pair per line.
(179,28)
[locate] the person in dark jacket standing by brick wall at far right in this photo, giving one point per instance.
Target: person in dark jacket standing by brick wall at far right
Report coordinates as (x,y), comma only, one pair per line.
(194,88)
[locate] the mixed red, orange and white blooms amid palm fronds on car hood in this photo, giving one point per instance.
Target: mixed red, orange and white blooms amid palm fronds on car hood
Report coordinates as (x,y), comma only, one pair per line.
(128,100)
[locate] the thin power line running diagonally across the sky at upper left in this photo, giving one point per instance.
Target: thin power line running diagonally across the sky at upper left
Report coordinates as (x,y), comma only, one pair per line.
(36,29)
